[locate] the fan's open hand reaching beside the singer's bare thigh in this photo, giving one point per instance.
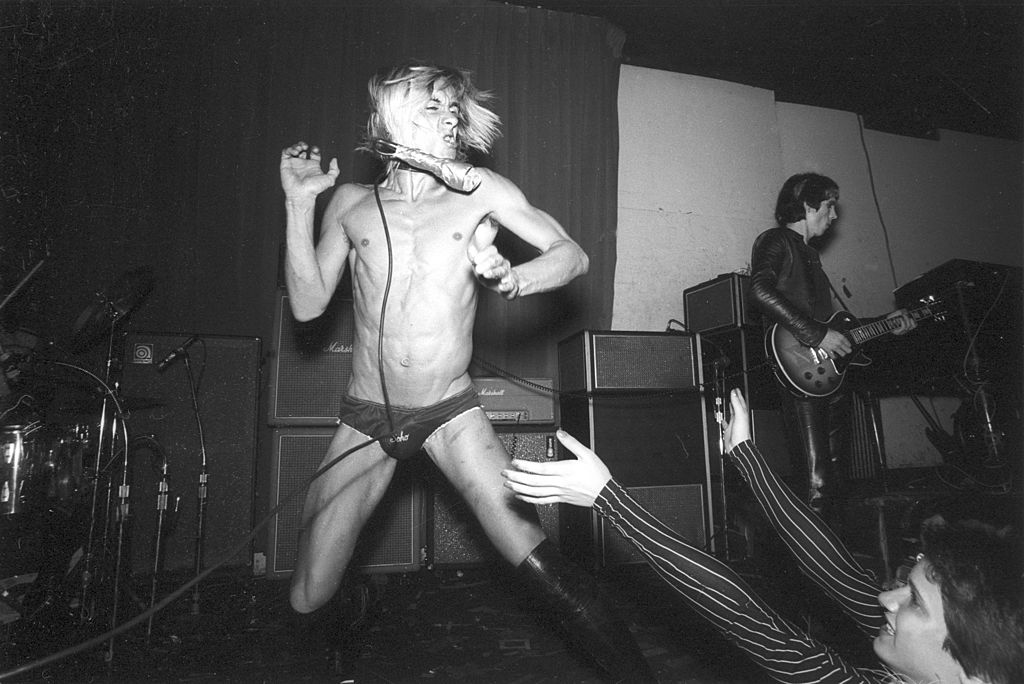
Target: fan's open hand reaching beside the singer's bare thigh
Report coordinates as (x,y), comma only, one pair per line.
(575,482)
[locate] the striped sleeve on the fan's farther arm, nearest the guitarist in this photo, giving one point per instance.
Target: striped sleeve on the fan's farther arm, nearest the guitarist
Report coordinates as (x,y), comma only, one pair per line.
(821,555)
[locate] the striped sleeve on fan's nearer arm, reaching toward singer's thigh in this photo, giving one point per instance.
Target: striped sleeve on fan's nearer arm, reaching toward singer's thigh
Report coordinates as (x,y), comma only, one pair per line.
(719,595)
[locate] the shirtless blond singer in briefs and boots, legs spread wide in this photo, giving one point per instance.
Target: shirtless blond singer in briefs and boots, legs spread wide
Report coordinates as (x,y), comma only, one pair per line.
(417,249)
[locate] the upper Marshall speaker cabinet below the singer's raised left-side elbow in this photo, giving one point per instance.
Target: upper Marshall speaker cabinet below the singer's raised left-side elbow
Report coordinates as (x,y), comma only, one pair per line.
(313,364)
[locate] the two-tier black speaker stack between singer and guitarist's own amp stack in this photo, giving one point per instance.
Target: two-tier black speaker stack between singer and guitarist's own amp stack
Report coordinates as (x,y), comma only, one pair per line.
(635,400)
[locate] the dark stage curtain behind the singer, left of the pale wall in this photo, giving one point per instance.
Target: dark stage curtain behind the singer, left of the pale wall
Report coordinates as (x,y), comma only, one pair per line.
(149,136)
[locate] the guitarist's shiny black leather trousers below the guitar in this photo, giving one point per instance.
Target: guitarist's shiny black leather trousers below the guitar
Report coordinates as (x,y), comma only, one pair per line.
(822,427)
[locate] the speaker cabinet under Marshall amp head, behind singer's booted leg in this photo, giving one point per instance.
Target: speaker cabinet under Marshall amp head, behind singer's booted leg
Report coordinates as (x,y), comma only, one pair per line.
(458,540)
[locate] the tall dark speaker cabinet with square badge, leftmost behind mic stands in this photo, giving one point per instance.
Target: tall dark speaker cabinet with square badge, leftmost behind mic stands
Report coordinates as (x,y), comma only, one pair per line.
(227,373)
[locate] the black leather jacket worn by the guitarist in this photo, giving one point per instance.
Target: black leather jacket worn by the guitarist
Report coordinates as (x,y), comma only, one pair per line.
(788,285)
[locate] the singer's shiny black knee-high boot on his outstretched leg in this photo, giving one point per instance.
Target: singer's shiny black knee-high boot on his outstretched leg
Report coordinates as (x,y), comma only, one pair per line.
(575,598)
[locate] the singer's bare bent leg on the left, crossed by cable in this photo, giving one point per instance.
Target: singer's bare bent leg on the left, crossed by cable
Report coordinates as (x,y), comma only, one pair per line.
(338,505)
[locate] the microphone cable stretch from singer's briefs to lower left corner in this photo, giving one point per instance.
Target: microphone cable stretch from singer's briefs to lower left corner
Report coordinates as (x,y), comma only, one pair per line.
(170,598)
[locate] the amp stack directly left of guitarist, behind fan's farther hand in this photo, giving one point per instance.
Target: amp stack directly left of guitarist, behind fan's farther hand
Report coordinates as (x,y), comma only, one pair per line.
(734,356)
